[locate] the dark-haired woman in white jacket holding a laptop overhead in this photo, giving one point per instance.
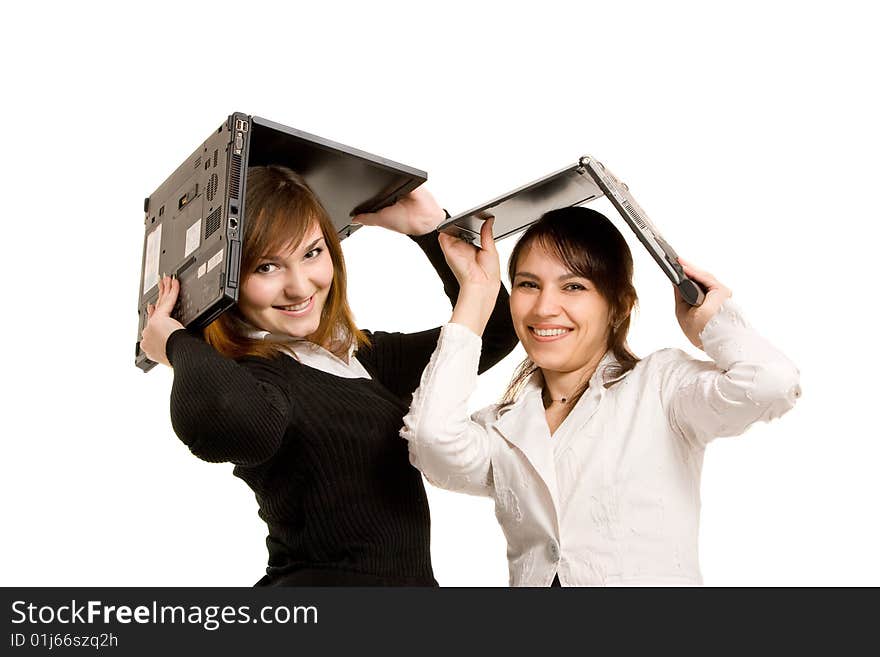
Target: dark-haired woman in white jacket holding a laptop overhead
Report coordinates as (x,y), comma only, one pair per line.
(593,456)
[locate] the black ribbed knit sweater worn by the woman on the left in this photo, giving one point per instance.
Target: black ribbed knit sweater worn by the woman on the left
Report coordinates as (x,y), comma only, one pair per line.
(323,453)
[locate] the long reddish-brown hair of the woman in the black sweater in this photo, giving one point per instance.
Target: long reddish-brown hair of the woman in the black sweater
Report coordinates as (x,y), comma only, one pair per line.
(280,209)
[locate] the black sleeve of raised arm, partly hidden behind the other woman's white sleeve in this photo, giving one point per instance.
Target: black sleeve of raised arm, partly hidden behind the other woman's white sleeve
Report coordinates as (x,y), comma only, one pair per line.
(398,359)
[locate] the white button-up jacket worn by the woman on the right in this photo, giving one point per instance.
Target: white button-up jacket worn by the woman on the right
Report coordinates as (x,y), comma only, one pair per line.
(613,498)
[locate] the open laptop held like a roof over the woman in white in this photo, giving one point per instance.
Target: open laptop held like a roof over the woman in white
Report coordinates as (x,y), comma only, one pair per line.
(582,182)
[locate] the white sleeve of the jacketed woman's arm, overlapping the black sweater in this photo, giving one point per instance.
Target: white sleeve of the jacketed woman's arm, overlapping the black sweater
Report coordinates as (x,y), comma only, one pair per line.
(451,449)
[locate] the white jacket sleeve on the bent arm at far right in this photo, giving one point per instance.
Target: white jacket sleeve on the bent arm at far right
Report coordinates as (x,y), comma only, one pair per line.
(749,380)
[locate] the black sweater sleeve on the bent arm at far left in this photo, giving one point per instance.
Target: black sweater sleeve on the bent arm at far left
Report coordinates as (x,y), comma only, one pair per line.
(225,410)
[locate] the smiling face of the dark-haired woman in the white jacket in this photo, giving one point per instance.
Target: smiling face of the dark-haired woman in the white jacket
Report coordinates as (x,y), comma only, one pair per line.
(561,319)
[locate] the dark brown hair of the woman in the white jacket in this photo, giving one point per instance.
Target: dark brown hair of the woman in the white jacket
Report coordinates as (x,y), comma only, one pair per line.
(588,244)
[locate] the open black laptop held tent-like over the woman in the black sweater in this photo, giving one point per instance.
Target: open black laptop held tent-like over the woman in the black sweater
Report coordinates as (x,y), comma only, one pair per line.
(194,221)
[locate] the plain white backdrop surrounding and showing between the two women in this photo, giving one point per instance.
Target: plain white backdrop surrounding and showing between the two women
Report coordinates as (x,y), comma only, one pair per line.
(748,133)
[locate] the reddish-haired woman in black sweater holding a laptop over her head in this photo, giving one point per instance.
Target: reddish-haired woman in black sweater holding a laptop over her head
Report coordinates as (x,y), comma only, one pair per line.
(318,443)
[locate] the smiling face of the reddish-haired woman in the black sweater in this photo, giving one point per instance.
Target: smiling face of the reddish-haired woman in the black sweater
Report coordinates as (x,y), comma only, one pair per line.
(285,292)
